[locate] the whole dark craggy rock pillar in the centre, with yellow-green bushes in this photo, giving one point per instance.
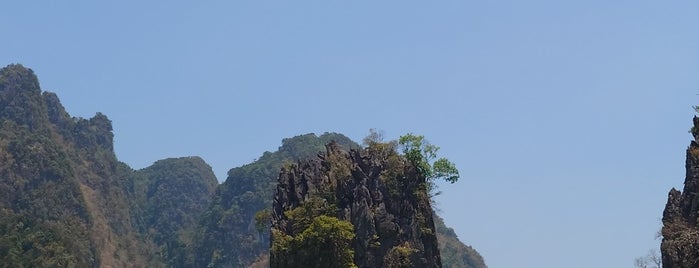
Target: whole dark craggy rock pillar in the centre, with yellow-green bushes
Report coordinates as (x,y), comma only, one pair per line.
(376,196)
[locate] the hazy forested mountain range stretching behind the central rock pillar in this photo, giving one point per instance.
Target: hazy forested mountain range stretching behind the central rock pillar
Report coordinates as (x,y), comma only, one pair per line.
(66,201)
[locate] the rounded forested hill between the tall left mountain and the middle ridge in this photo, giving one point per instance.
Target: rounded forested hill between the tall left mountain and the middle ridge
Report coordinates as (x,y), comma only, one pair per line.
(173,194)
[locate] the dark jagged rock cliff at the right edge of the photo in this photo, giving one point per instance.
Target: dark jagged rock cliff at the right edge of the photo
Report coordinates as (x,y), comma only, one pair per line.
(680,245)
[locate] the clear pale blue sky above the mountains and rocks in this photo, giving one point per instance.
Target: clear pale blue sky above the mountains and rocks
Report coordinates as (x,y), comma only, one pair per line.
(568,121)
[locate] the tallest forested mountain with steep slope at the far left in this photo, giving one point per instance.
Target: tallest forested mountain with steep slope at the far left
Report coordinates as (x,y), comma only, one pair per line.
(62,201)
